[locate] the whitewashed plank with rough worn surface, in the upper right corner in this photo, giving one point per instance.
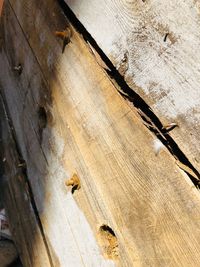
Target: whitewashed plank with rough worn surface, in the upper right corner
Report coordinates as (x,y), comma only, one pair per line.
(155,46)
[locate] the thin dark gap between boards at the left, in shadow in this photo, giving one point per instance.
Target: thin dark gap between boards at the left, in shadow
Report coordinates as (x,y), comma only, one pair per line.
(22,162)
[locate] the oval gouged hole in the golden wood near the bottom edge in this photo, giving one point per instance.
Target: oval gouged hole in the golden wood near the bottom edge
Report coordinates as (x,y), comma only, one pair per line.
(108,242)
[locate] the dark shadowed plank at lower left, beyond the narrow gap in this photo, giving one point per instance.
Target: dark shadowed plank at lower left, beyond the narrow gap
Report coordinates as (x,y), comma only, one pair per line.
(17,200)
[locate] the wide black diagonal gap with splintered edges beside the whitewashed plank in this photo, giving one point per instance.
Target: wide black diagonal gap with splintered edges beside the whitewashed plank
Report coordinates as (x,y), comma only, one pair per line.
(146,113)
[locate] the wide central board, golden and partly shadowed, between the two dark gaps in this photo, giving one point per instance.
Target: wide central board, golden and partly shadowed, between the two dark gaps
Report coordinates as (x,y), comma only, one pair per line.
(150,204)
